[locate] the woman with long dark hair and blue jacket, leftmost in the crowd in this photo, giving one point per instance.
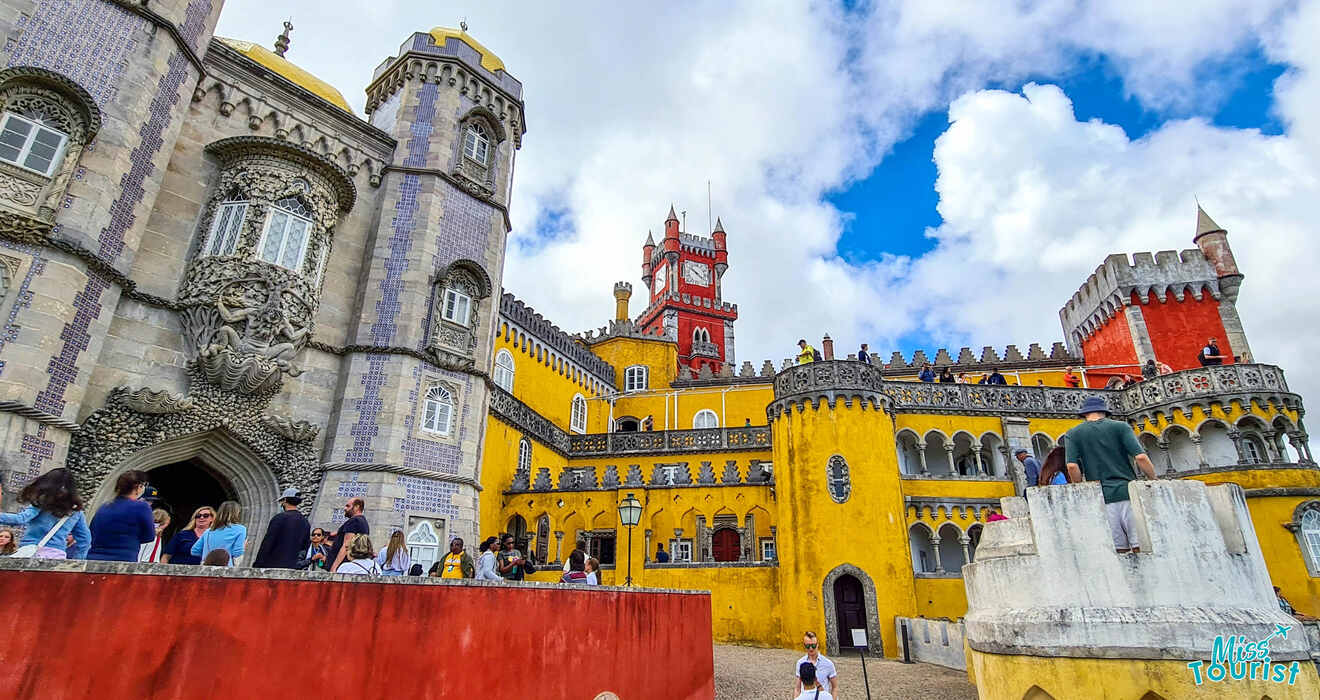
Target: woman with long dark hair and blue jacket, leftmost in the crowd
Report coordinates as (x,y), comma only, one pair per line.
(53,513)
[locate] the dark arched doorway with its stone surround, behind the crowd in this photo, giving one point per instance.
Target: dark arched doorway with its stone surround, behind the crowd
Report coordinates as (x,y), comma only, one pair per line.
(207,466)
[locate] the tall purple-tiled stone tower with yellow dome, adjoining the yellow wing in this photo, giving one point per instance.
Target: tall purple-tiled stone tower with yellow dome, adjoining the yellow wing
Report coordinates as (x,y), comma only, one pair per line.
(410,429)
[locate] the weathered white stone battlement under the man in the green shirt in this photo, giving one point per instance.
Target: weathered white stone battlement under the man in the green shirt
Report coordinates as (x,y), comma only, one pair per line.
(1049,583)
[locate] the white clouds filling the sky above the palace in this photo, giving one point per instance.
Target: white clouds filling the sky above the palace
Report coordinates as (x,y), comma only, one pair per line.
(778,104)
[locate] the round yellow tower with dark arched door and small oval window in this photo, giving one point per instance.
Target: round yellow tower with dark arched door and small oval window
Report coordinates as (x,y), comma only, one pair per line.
(839,487)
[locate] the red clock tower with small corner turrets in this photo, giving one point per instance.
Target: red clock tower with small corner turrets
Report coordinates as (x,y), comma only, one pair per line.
(683,277)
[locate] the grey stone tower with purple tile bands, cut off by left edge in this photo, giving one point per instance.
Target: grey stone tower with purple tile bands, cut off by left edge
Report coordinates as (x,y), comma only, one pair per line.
(100,90)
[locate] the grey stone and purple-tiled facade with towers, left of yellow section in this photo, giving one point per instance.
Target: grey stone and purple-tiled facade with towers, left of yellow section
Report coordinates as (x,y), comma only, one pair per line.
(163,303)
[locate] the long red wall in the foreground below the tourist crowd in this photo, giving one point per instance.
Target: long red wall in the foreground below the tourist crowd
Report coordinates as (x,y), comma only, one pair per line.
(137,636)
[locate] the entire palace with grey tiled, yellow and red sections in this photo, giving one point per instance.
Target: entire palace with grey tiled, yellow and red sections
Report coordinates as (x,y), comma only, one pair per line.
(213,270)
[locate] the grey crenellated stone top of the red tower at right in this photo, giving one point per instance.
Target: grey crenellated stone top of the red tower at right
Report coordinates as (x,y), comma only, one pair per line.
(1117,279)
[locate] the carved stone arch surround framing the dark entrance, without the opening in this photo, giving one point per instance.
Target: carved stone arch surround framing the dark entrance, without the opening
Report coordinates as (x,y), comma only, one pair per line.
(242,470)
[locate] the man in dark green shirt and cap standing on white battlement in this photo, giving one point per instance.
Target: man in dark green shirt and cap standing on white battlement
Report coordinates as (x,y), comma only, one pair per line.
(1102,448)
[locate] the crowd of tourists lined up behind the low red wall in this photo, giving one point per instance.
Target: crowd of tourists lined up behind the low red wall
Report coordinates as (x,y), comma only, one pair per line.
(130,530)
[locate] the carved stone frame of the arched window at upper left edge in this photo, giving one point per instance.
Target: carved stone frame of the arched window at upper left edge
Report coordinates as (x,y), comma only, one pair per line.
(57,102)
